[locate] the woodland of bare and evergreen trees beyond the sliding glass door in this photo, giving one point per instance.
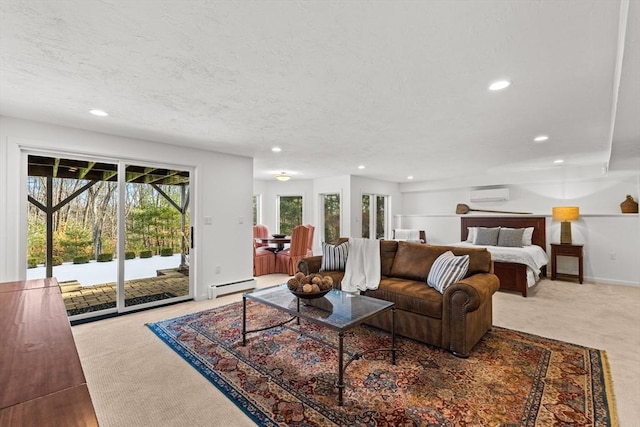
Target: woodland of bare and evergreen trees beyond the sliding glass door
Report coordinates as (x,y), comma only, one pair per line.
(85,224)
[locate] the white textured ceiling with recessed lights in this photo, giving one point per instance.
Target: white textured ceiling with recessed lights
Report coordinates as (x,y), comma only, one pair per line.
(400,87)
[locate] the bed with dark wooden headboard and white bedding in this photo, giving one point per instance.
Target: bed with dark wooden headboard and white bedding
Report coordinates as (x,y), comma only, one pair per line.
(514,276)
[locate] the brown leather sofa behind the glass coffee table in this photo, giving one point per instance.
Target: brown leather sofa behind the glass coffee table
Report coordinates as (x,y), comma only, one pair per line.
(455,320)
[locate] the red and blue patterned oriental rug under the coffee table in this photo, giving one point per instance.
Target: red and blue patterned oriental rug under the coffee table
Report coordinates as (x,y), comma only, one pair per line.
(286,376)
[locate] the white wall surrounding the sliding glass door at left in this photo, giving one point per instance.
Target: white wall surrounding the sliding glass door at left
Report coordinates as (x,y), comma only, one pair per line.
(221,189)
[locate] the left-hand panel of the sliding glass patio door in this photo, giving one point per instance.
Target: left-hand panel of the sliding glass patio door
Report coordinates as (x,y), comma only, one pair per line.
(71,230)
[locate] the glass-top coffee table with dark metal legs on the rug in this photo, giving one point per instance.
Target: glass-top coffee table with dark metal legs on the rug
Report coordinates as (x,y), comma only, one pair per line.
(339,311)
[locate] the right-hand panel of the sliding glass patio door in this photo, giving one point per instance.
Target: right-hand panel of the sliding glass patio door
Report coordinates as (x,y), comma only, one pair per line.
(157,235)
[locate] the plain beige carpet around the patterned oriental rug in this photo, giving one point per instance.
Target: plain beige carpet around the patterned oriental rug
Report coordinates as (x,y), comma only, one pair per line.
(136,380)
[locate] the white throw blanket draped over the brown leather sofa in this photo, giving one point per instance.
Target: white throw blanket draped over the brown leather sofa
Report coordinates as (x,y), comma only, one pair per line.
(362,271)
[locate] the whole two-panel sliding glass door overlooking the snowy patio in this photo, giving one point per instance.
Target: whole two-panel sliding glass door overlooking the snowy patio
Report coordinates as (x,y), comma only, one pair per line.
(116,236)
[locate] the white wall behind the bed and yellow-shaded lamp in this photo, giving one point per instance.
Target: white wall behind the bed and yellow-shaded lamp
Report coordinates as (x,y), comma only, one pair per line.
(602,227)
